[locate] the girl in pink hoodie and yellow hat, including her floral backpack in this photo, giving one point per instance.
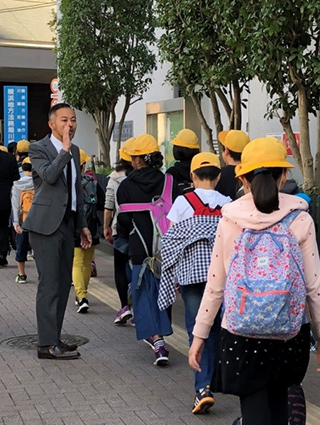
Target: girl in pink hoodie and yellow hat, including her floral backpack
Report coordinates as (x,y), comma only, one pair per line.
(260,369)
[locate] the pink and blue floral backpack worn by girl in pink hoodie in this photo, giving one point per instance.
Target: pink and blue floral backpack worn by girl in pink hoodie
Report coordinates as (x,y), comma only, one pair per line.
(265,291)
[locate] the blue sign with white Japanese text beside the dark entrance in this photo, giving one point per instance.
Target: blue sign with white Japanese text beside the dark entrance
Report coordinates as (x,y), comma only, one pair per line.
(15,113)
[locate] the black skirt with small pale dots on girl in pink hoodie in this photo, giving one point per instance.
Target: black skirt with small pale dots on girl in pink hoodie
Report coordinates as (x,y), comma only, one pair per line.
(245,365)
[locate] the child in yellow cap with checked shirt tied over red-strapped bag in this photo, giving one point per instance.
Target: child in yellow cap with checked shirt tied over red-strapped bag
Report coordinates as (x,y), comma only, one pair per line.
(186,252)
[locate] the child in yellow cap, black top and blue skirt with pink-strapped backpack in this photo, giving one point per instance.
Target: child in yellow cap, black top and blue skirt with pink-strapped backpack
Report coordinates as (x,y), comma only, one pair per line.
(143,186)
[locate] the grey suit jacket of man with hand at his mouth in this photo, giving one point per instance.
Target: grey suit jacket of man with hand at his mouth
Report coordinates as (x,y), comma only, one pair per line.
(50,188)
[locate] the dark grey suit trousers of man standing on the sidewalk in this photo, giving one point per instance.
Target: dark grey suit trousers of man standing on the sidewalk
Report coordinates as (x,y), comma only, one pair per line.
(54,257)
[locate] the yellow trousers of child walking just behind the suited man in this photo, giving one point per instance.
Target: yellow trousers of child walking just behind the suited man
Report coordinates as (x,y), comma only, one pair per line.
(81,270)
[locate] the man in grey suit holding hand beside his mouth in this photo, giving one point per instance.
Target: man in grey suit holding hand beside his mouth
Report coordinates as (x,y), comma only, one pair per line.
(56,213)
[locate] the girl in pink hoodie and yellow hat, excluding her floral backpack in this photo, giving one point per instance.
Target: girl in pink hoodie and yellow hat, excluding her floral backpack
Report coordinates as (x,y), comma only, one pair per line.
(260,370)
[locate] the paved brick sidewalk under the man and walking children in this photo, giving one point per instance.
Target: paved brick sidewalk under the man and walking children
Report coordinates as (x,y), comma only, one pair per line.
(114,382)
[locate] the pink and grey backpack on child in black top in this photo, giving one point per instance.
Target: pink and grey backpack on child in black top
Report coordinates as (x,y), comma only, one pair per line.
(158,209)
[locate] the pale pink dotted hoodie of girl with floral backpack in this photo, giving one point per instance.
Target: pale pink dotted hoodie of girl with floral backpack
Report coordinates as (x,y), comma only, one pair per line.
(243,214)
